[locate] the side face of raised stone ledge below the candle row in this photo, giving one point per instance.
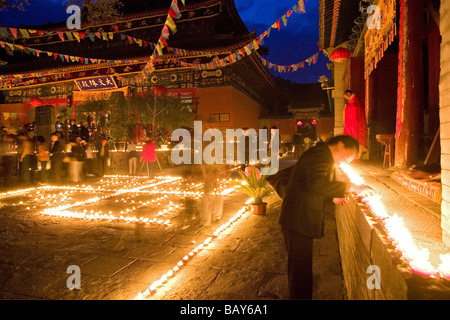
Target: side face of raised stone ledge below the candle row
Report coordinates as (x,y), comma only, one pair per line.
(363,242)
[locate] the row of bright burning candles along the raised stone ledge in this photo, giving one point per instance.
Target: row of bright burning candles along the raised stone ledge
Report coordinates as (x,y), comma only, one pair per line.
(400,236)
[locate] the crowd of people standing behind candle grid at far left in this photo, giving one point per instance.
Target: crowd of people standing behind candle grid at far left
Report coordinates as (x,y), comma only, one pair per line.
(72,154)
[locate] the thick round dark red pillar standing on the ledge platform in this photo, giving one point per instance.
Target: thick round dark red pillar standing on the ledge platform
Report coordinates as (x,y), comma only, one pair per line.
(410,98)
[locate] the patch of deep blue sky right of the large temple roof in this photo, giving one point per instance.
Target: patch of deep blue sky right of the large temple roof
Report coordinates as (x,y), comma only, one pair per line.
(295,42)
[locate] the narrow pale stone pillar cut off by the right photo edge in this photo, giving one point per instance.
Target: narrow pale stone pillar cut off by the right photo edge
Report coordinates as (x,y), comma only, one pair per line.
(444,89)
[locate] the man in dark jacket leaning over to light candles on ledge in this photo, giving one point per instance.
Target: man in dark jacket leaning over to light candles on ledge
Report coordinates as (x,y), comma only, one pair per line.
(310,185)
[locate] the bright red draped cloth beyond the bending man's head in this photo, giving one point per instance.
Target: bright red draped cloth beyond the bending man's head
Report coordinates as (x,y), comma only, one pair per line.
(355,120)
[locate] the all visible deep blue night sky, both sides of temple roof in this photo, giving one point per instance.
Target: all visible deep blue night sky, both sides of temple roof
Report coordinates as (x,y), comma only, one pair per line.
(294,43)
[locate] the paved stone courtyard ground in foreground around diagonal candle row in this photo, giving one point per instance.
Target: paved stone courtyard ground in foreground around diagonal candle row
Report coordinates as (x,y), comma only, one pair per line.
(119,260)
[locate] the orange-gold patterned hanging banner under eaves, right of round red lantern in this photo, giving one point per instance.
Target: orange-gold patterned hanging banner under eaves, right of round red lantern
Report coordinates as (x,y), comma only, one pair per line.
(380,35)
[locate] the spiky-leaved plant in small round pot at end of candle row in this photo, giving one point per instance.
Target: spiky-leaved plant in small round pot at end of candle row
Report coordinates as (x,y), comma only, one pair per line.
(256,186)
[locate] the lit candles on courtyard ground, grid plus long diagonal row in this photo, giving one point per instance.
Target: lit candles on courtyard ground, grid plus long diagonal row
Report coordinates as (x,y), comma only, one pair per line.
(61,202)
